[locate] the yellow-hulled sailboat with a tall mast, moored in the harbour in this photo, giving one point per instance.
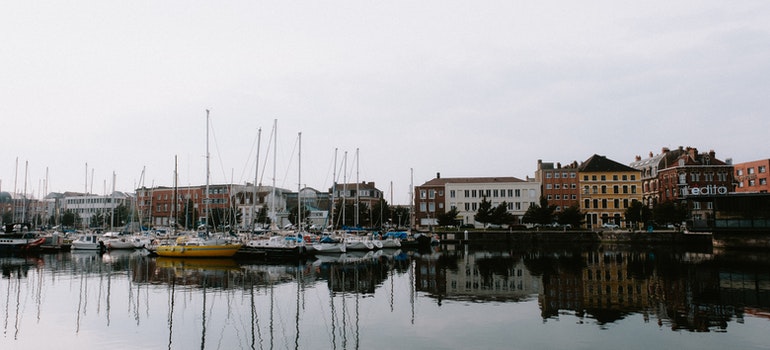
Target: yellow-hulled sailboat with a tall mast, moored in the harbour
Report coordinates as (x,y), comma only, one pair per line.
(200,247)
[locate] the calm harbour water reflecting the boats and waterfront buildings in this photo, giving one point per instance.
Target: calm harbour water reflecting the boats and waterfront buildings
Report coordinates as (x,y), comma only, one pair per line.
(448,298)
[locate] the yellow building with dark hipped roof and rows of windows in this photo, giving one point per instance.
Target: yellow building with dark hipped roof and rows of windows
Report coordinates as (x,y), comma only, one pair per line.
(608,188)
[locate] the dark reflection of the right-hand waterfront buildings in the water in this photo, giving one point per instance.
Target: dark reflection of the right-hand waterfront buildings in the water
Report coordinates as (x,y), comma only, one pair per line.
(692,291)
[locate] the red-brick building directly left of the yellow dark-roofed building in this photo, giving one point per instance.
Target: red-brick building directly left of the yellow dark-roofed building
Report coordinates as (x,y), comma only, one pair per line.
(559,184)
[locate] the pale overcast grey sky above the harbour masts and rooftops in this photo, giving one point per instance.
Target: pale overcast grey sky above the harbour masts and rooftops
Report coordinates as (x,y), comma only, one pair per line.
(465,88)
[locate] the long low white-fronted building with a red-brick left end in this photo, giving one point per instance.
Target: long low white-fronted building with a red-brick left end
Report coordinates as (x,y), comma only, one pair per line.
(437,196)
